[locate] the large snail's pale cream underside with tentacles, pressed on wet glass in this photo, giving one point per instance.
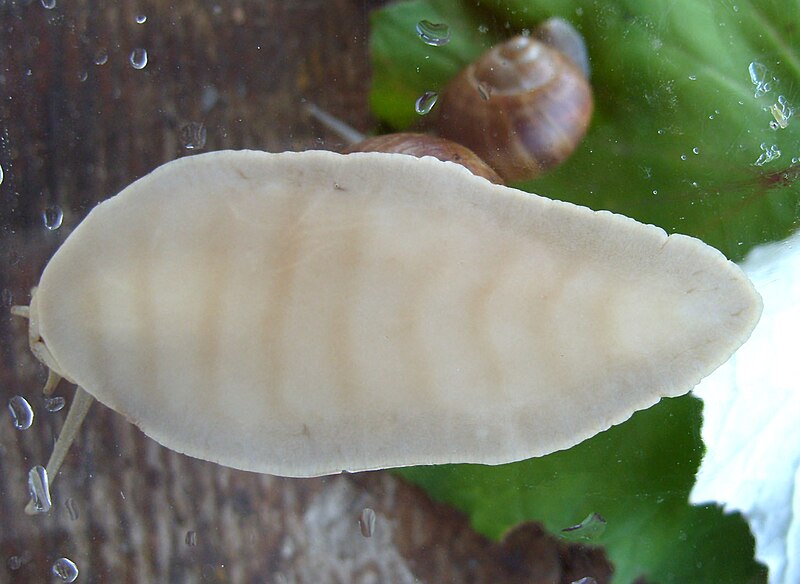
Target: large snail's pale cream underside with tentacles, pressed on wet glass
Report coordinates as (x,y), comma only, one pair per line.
(304,313)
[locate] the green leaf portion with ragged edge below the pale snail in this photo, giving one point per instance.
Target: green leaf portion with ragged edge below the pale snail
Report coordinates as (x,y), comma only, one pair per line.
(637,476)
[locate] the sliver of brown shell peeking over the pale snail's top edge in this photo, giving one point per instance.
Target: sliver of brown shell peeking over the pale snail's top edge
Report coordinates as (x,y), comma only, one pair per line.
(420,145)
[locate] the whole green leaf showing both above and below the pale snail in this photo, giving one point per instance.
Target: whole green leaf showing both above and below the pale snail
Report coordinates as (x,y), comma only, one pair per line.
(674,141)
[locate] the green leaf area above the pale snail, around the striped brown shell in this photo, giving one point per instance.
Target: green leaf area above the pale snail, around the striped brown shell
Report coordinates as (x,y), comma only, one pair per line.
(677,128)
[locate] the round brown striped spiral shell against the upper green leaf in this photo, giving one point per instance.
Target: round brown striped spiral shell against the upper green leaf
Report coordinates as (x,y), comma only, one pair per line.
(523,107)
